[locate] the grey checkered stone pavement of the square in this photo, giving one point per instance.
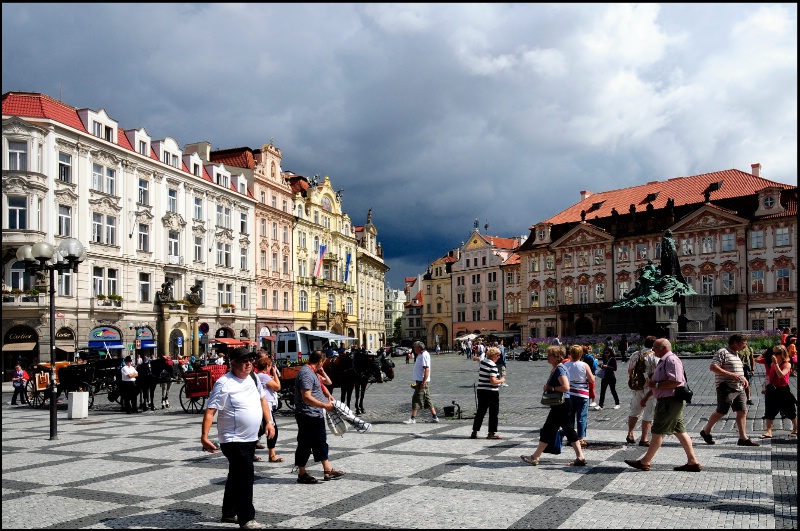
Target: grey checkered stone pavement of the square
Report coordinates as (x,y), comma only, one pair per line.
(112,470)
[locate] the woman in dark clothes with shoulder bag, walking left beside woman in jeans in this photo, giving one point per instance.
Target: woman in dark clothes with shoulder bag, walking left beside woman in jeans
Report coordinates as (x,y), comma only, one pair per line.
(558,417)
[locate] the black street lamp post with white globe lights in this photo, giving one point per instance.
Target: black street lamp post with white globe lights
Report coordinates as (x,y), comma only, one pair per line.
(43,257)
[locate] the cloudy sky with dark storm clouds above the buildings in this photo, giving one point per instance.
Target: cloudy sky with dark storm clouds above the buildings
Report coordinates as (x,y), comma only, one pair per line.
(433,115)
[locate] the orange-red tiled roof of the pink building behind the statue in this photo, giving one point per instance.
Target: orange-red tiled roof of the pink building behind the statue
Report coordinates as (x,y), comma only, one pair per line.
(683,190)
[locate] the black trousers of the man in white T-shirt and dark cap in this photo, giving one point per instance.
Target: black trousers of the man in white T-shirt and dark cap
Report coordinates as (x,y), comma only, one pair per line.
(238,498)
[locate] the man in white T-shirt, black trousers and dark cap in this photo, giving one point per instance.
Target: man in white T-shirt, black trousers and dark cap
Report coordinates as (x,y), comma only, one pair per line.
(242,403)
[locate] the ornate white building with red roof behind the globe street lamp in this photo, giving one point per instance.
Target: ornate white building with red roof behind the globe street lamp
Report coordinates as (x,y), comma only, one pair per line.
(168,237)
